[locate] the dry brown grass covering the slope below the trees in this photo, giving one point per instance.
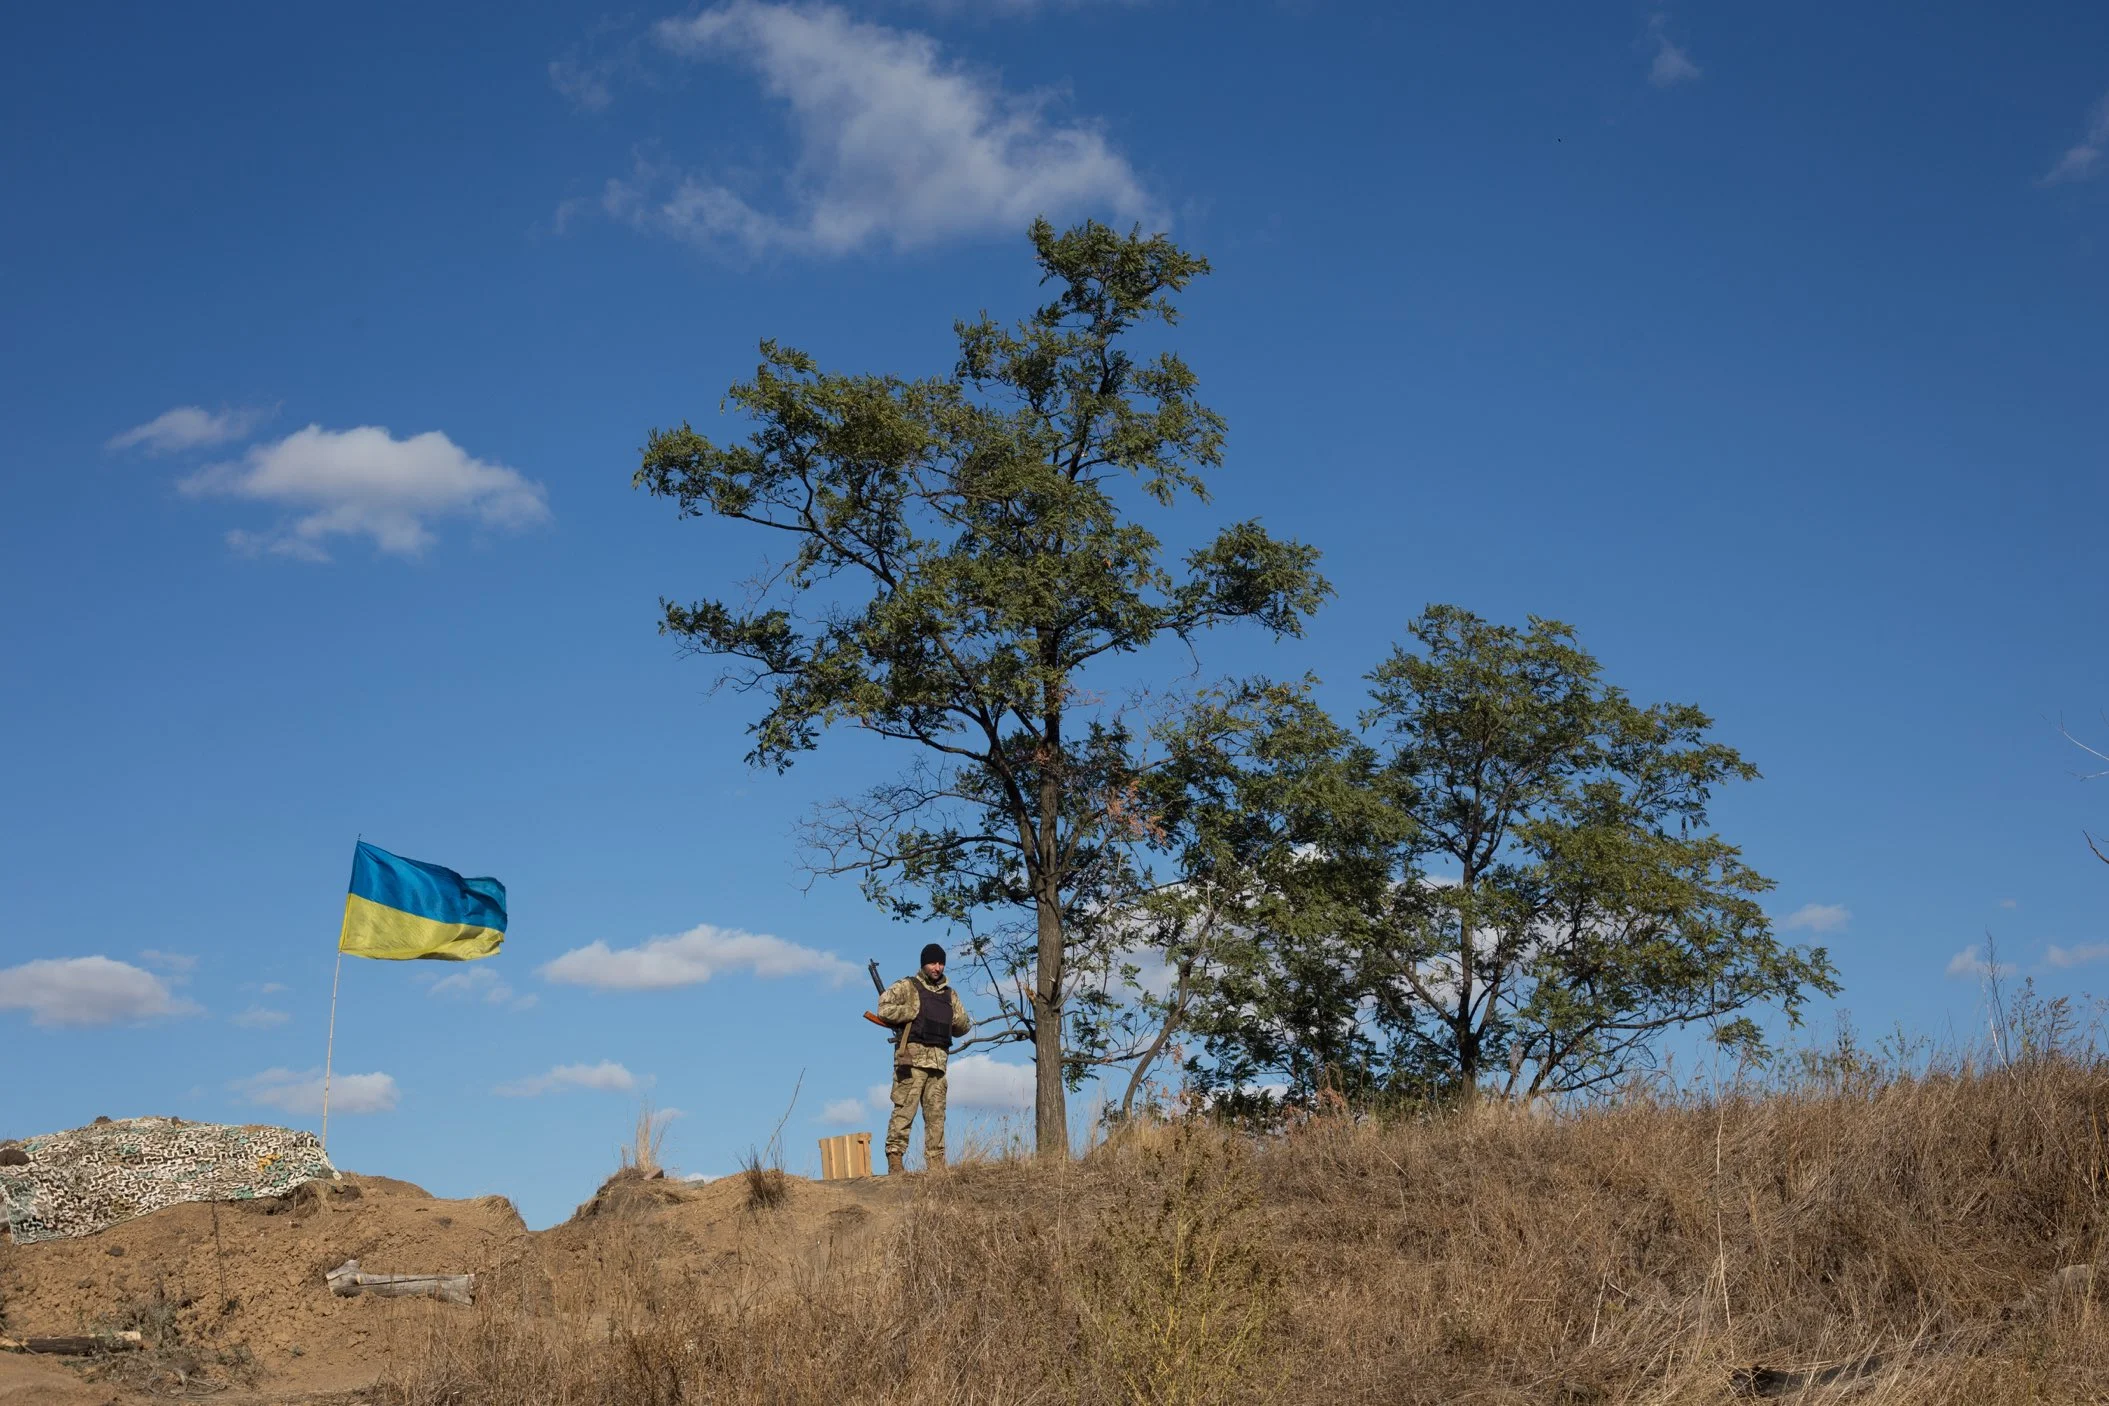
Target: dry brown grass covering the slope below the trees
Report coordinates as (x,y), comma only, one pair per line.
(1872,1238)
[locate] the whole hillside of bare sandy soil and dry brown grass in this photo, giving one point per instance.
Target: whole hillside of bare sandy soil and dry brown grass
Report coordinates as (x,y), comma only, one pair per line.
(1908,1241)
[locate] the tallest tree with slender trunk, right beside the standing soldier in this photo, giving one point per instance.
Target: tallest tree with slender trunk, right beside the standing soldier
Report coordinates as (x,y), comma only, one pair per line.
(963,551)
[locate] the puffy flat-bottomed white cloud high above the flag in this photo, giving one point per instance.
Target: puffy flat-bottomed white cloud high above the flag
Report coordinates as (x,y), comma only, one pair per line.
(349,484)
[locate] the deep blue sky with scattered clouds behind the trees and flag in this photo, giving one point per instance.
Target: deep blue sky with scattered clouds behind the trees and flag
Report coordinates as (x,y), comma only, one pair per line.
(1762,345)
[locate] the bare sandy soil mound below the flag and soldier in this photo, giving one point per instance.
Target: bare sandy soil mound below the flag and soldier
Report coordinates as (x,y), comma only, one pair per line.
(235,1291)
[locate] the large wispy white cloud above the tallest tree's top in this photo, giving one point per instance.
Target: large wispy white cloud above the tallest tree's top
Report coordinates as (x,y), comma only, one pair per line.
(895,144)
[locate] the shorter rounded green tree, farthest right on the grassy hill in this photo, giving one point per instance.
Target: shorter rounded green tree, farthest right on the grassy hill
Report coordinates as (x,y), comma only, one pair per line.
(1543,903)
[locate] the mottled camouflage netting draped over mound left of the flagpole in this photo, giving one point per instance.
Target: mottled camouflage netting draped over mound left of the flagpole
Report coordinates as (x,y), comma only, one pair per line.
(90,1179)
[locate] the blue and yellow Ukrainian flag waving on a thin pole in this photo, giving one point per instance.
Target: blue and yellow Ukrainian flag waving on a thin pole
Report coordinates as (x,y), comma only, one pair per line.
(404,910)
